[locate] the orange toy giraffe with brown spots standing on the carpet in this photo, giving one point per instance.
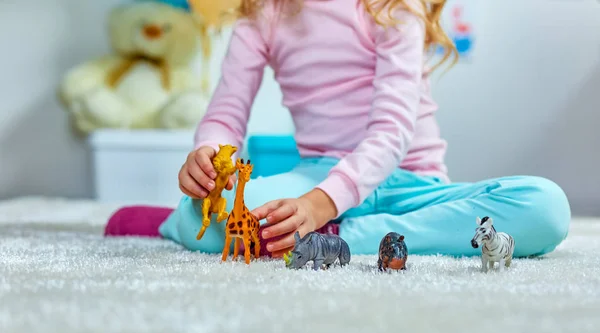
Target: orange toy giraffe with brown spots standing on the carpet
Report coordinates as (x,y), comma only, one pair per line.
(241,224)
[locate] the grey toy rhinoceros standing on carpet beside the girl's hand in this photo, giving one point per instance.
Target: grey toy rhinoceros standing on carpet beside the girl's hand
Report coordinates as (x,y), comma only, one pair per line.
(321,249)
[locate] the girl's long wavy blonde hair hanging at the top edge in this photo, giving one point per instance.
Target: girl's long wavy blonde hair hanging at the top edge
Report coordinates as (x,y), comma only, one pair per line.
(382,12)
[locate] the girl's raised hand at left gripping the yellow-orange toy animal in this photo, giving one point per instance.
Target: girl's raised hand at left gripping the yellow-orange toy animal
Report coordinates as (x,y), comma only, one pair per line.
(196,177)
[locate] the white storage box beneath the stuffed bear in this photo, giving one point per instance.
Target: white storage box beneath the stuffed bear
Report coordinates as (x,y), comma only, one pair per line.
(139,167)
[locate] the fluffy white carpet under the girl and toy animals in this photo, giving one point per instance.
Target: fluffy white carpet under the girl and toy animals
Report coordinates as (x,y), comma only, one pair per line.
(58,274)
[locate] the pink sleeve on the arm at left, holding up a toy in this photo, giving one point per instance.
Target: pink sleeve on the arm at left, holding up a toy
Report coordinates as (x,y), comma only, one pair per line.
(226,119)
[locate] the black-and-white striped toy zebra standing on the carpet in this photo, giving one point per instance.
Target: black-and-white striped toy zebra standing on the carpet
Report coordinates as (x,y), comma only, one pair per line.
(497,246)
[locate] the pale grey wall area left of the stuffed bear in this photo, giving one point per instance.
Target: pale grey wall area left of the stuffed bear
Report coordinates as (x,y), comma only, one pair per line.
(39,40)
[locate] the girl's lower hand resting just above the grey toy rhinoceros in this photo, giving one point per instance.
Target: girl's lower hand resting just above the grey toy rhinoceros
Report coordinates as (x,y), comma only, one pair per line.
(286,216)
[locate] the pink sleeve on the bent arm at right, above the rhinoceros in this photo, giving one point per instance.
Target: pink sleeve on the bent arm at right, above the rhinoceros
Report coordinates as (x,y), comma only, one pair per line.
(391,127)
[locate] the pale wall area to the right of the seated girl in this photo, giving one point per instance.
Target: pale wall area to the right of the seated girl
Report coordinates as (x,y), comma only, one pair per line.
(529,101)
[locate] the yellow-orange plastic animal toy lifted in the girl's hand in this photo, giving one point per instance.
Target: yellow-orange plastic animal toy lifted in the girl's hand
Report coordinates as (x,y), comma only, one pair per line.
(214,203)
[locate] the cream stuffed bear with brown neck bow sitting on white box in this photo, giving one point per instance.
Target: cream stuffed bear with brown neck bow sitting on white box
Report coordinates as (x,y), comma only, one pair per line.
(149,81)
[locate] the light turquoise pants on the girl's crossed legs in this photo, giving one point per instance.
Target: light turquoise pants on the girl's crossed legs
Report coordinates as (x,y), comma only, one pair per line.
(435,217)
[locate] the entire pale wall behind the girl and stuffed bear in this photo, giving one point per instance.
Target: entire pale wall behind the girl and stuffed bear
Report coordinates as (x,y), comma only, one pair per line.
(524,105)
